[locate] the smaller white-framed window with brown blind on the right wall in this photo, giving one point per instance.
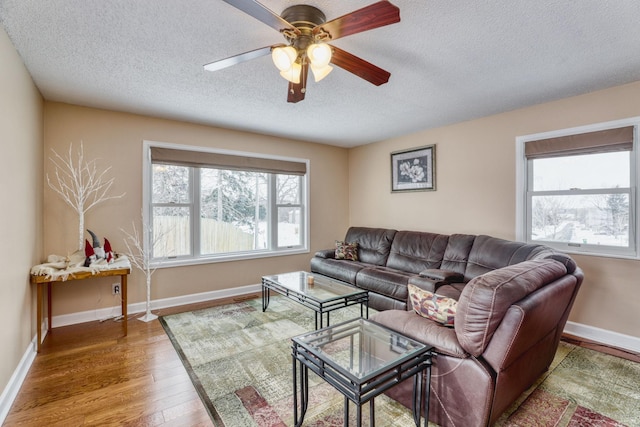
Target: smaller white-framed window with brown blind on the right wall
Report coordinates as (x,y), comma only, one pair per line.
(577,189)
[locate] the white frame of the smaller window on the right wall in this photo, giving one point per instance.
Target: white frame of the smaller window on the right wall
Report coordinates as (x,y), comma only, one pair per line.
(523,198)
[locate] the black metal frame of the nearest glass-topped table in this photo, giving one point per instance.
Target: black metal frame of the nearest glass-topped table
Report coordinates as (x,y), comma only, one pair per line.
(361,390)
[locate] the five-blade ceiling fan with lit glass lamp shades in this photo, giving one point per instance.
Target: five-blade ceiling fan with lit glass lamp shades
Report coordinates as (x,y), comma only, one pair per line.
(307,33)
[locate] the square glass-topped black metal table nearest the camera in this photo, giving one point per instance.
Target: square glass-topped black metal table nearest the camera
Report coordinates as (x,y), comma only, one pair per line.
(361,359)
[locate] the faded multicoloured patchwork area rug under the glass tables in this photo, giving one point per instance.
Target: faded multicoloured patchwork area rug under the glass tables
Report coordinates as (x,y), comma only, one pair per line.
(239,359)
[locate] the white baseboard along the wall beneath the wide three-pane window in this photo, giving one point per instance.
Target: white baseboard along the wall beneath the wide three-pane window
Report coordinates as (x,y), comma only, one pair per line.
(141,307)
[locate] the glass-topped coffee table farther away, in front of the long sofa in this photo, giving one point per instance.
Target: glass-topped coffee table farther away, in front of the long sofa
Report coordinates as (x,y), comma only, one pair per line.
(319,293)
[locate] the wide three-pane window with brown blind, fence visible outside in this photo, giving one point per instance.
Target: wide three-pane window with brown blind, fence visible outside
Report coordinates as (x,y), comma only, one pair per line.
(205,206)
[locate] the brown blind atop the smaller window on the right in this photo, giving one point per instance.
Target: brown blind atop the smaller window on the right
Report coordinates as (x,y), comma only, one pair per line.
(619,139)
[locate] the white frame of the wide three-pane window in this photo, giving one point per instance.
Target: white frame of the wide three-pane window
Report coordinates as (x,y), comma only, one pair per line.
(196,258)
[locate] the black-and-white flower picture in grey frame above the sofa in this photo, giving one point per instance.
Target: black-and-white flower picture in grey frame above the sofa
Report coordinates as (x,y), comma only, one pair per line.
(414,169)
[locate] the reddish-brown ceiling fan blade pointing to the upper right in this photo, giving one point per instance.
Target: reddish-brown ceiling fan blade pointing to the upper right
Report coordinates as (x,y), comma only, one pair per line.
(369,17)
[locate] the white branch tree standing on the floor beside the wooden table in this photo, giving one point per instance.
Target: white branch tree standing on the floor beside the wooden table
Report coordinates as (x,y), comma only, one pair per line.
(140,256)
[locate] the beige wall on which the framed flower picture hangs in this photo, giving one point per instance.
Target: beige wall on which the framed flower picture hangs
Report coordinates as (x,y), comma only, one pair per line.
(476,191)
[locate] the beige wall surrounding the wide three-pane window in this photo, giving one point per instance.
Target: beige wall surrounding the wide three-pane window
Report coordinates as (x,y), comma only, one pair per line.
(115,139)
